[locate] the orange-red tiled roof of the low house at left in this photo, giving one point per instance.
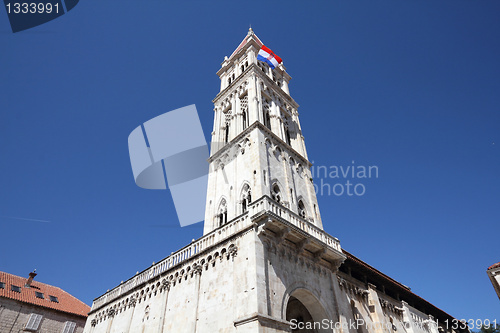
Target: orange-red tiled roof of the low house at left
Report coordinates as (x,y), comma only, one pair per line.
(67,303)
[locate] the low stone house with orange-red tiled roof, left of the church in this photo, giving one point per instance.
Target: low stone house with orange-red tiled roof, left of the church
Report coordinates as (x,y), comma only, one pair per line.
(27,305)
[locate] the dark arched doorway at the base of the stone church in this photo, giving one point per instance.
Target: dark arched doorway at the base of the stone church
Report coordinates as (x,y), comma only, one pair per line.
(306,313)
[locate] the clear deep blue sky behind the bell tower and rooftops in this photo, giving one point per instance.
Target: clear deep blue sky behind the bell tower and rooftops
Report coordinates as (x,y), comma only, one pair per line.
(409,86)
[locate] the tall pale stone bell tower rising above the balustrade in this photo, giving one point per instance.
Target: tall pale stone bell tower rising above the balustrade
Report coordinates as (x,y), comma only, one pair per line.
(257,144)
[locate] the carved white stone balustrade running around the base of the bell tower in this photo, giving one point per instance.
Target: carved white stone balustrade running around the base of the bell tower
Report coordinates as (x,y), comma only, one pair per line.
(241,222)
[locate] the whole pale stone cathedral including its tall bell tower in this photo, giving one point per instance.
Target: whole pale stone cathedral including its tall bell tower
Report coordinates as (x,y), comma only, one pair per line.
(264,262)
